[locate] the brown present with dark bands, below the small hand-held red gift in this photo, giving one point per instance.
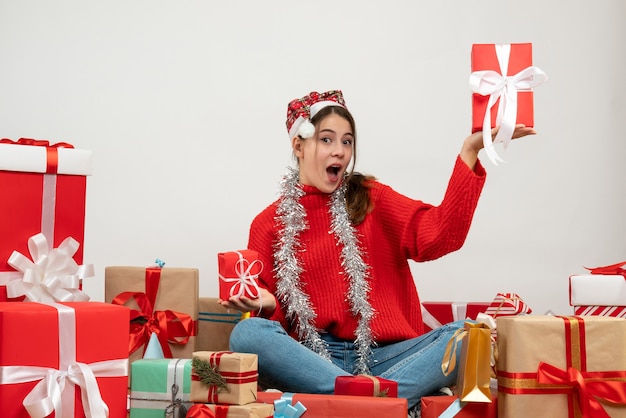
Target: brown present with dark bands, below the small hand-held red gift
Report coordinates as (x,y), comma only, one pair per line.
(215,324)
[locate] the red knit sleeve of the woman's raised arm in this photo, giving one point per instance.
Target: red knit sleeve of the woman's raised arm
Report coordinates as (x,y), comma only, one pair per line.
(427,232)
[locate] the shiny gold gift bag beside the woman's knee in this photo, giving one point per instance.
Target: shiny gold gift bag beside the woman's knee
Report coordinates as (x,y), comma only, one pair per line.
(474,374)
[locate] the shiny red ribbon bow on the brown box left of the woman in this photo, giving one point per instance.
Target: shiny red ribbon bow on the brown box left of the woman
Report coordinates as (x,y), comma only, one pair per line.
(171,327)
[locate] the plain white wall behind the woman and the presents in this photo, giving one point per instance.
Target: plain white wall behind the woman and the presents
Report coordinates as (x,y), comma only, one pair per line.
(183,105)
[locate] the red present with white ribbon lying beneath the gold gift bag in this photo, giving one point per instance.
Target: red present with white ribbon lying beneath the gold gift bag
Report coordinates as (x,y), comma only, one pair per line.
(451,406)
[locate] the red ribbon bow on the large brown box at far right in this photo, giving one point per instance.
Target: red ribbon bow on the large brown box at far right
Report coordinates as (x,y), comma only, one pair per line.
(588,386)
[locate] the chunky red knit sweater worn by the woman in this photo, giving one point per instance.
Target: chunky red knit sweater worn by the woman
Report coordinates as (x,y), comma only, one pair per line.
(397,229)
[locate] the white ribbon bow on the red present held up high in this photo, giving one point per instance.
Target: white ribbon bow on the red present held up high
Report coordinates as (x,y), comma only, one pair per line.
(500,86)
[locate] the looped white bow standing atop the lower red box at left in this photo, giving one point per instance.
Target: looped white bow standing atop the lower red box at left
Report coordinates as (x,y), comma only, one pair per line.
(52,275)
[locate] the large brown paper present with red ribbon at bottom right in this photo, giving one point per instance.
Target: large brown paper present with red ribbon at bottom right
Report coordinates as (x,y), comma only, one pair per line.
(561,366)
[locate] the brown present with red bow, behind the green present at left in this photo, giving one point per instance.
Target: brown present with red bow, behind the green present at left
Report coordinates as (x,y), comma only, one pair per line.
(165,296)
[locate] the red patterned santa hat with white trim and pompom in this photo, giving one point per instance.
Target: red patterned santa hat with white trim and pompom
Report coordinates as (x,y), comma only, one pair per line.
(300,111)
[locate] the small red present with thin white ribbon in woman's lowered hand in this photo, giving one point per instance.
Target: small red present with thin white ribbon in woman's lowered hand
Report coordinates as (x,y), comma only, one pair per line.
(238,273)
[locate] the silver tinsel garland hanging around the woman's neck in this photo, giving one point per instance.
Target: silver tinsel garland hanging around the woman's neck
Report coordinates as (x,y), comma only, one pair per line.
(291,217)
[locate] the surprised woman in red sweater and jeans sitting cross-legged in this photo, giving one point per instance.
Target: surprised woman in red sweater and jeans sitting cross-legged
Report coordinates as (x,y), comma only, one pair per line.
(337,294)
